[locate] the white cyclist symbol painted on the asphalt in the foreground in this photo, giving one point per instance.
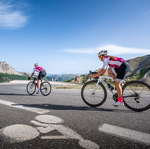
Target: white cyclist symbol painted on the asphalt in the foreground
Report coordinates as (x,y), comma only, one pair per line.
(21,132)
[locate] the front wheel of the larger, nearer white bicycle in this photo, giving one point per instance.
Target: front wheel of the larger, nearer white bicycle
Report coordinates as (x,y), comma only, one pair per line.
(92,99)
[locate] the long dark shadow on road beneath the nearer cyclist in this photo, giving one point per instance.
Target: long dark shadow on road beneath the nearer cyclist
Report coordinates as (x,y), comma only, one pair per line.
(69,107)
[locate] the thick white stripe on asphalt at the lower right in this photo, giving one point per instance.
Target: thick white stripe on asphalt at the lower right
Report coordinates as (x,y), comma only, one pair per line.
(126,133)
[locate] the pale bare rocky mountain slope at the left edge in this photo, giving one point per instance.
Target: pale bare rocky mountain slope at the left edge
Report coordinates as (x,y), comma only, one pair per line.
(6,68)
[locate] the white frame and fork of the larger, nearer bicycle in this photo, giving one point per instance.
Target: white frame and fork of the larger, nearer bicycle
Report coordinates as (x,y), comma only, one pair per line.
(100,79)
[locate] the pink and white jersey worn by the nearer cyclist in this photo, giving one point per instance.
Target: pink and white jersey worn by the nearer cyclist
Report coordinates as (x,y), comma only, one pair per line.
(112,63)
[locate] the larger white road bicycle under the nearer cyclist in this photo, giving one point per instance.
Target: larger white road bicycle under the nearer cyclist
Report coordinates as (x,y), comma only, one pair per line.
(135,93)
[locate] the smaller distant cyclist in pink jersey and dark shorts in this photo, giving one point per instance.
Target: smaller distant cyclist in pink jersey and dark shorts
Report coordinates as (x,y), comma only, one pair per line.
(42,73)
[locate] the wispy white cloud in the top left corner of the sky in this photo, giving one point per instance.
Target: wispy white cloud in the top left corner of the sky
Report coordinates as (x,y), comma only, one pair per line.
(10,17)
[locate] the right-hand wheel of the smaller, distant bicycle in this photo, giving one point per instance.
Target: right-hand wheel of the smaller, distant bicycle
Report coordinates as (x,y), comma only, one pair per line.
(45,88)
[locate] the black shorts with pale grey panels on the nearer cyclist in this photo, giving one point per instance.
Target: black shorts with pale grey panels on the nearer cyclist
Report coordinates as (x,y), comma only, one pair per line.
(122,71)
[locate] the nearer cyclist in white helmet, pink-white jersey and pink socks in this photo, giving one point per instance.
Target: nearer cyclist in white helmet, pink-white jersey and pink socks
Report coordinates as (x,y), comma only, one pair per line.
(118,71)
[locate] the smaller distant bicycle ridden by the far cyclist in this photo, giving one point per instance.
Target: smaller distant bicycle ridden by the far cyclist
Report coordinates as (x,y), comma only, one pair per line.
(45,87)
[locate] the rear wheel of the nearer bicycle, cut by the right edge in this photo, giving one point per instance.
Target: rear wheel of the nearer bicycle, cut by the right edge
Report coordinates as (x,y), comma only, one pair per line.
(136,95)
